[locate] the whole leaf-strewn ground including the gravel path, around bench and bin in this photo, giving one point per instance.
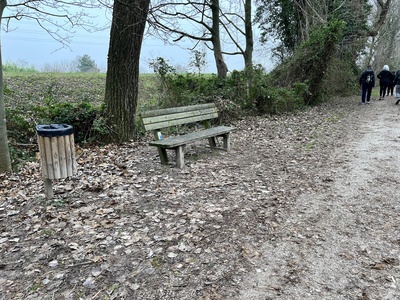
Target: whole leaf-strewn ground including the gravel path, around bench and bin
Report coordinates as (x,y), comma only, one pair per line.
(305,206)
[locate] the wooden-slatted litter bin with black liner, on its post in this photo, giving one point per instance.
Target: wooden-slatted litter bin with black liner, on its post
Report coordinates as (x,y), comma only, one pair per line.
(57,153)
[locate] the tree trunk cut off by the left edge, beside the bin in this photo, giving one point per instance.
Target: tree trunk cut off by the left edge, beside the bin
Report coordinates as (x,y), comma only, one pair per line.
(5,160)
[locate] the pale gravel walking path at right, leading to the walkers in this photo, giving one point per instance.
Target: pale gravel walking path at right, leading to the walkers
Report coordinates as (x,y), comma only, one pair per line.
(344,243)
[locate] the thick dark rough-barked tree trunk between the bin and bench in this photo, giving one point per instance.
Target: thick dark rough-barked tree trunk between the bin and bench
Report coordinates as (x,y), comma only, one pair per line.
(127,28)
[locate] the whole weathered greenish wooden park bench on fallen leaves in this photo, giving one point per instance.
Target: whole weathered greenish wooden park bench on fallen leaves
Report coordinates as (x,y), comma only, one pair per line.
(156,120)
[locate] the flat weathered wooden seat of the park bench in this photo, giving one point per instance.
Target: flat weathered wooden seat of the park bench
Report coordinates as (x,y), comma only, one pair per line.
(180,140)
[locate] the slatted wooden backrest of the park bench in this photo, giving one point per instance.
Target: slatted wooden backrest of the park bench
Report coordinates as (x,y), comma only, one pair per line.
(163,118)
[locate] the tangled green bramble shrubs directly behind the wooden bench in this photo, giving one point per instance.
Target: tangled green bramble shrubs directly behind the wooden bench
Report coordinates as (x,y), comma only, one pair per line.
(242,92)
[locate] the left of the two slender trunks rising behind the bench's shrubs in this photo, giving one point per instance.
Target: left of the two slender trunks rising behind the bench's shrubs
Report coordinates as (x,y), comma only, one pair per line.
(222,68)
